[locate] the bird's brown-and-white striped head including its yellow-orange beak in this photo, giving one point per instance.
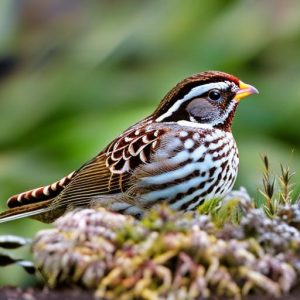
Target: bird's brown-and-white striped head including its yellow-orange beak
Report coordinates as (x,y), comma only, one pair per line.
(207,98)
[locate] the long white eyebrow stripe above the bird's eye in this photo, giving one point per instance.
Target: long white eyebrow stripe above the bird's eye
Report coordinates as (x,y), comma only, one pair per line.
(194,92)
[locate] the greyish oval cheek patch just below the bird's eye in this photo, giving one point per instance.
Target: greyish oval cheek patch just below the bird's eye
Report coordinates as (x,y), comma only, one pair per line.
(202,110)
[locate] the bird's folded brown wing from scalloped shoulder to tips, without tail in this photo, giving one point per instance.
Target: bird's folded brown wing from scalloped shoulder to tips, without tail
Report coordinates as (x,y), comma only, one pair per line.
(110,172)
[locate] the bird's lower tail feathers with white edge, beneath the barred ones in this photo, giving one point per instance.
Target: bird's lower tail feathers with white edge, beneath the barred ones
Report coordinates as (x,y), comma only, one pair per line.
(37,210)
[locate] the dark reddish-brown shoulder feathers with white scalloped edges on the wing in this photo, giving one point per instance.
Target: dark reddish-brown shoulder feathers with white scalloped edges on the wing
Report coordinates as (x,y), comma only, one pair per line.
(131,149)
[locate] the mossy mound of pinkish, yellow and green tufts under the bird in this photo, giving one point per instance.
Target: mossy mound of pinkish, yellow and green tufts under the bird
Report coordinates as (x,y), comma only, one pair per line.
(173,255)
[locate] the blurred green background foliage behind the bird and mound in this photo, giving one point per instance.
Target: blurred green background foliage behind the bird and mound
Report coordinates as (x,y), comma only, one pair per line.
(75,73)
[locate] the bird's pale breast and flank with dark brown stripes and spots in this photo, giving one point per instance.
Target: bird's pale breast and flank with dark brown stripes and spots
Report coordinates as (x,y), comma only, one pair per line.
(188,167)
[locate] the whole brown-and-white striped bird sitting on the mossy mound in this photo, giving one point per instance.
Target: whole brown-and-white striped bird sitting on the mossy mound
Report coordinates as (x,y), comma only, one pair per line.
(181,155)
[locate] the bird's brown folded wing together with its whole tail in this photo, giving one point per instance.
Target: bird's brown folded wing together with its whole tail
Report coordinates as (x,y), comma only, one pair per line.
(110,173)
